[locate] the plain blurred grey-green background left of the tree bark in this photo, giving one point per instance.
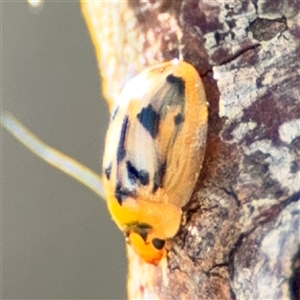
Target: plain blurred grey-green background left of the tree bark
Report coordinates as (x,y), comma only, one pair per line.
(58,240)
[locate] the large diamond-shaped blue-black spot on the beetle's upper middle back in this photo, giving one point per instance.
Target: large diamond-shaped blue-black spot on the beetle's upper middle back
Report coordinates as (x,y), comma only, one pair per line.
(150,119)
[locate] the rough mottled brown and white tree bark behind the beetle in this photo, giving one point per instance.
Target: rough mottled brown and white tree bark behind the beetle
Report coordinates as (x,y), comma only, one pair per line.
(240,238)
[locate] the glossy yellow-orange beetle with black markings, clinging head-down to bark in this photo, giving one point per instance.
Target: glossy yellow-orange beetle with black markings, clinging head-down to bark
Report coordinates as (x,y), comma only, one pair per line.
(154,148)
